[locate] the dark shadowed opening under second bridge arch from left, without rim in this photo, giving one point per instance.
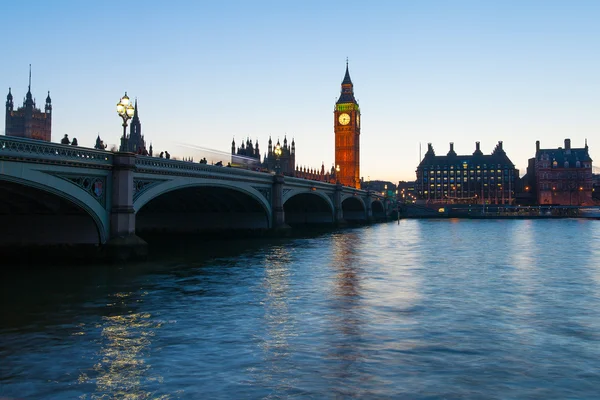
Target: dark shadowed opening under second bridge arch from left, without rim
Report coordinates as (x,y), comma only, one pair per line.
(201,210)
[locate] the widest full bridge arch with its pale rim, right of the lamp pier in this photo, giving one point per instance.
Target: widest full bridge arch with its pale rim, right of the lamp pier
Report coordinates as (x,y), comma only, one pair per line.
(200,206)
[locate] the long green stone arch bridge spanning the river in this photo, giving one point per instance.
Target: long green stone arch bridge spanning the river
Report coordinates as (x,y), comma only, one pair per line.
(61,194)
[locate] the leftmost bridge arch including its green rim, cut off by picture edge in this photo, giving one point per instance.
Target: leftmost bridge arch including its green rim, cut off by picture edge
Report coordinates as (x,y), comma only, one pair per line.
(65,213)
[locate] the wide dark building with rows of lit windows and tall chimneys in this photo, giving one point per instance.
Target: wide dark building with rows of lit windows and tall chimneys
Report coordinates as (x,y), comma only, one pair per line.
(475,178)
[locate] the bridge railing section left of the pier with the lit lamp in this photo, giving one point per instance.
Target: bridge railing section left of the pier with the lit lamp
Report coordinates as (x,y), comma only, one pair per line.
(21,148)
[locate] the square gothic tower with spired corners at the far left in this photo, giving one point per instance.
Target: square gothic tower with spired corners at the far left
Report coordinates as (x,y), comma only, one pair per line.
(28,121)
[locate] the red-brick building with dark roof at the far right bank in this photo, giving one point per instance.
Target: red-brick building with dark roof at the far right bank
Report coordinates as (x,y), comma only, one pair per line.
(561,176)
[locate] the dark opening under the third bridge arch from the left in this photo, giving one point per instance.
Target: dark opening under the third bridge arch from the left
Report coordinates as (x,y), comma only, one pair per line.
(307,209)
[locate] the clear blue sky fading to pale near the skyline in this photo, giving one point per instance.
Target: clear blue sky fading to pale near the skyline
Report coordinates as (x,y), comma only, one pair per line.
(423,71)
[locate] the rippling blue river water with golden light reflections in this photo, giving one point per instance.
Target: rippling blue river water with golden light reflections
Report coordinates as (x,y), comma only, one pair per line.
(422,310)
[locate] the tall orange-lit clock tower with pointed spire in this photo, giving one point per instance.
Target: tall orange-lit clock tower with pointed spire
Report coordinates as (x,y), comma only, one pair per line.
(346,123)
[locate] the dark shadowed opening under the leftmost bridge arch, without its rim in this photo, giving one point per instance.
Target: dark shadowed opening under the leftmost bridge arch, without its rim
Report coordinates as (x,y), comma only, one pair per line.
(31,216)
